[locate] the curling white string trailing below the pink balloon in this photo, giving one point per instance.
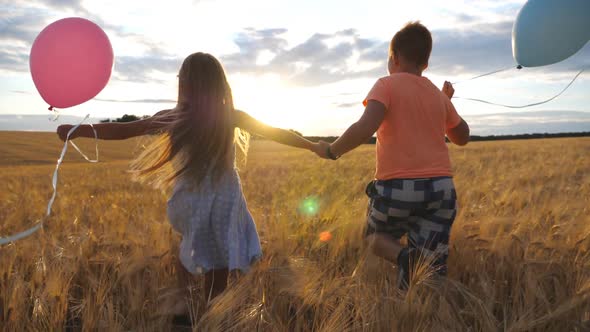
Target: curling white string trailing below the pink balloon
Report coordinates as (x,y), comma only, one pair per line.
(39,225)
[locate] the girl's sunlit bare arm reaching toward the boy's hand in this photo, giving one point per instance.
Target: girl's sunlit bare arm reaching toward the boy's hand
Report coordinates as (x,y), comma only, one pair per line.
(287,137)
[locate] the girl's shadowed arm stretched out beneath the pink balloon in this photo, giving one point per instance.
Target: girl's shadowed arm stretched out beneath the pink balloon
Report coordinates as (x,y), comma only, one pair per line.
(116,130)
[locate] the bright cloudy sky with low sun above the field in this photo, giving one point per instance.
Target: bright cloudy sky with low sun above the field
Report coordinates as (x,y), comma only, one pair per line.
(305,65)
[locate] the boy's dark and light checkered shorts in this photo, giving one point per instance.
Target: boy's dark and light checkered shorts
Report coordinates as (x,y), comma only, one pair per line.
(422,209)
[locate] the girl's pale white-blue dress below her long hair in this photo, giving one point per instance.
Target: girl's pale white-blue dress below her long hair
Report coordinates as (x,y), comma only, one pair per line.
(218,231)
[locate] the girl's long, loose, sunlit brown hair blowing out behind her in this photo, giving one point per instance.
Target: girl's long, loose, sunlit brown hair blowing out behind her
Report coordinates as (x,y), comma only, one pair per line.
(199,133)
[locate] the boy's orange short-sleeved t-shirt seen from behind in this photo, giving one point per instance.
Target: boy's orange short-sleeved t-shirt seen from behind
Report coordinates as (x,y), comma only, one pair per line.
(411,138)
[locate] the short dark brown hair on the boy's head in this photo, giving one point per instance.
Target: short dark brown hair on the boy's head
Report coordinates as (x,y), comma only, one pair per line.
(413,42)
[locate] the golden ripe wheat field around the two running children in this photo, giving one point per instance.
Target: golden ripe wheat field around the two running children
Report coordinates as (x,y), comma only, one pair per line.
(519,261)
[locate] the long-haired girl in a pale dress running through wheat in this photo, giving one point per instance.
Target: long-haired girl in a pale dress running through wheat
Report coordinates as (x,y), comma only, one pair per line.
(196,155)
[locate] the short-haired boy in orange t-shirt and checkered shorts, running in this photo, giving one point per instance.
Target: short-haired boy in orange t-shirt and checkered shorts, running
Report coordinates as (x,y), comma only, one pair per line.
(413,192)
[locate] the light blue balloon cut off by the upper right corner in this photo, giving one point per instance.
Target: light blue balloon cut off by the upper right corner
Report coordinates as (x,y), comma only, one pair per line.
(549,31)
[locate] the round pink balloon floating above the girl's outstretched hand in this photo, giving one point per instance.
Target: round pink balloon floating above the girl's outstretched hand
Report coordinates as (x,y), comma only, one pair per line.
(71,62)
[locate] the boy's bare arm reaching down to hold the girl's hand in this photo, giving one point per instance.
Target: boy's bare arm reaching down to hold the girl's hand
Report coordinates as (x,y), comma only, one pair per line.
(360,131)
